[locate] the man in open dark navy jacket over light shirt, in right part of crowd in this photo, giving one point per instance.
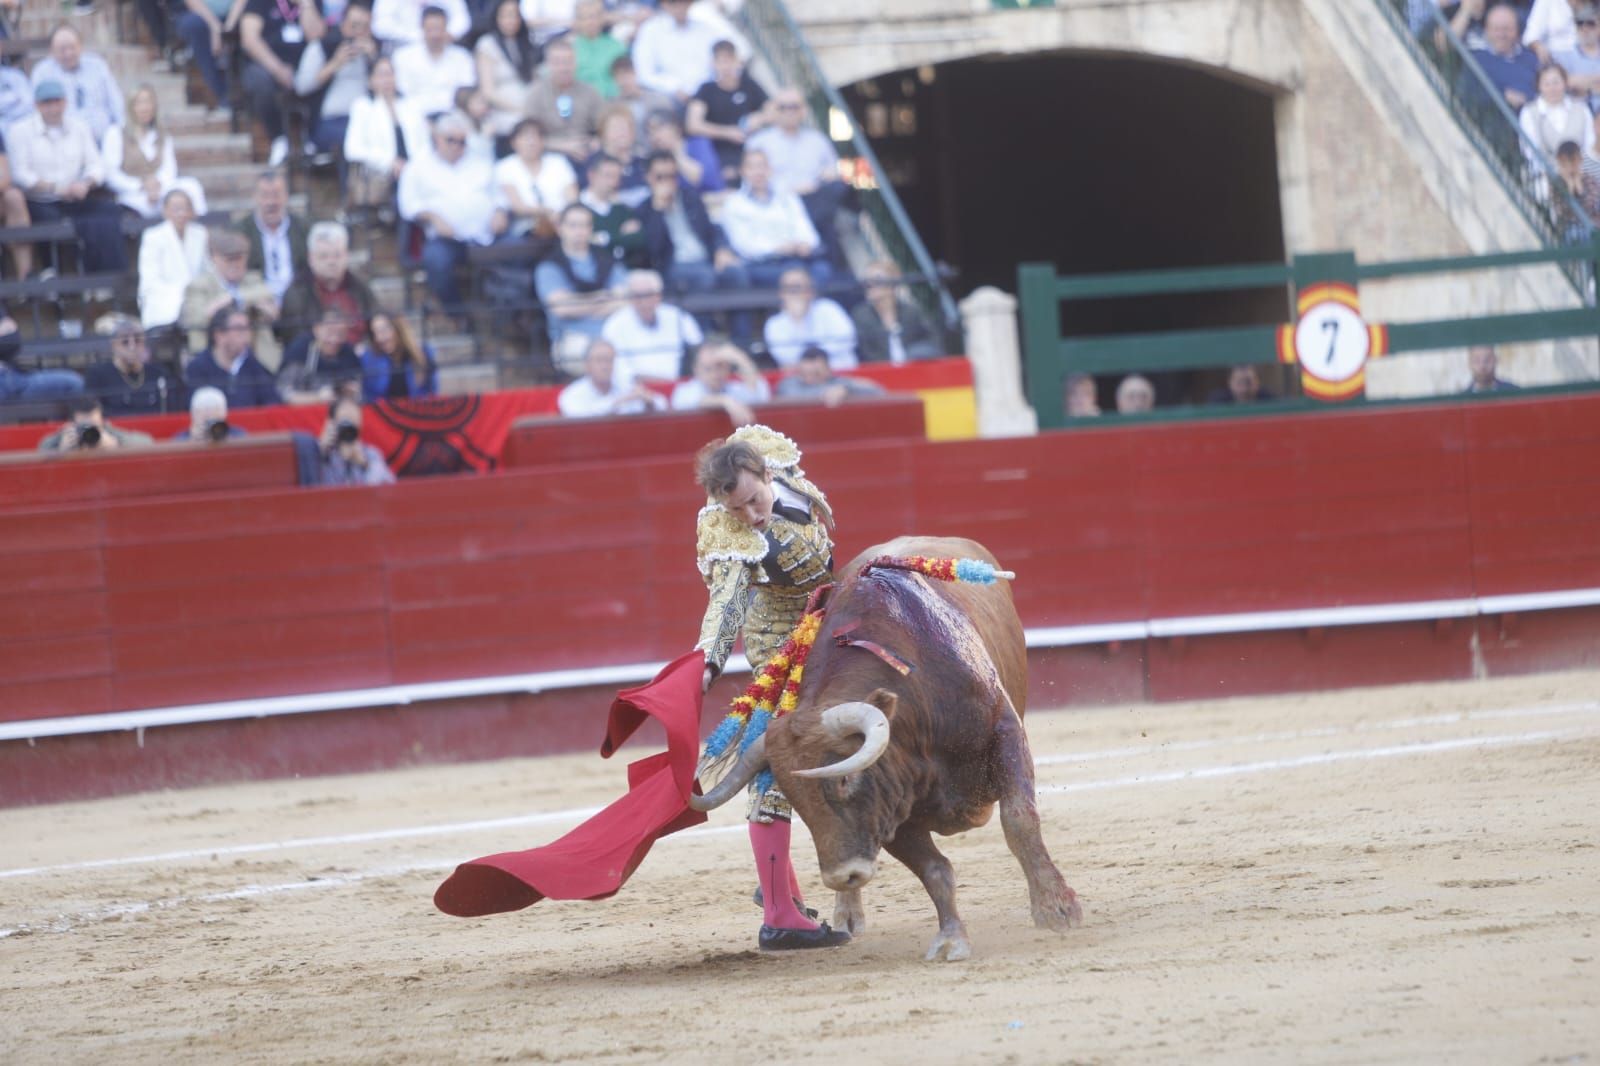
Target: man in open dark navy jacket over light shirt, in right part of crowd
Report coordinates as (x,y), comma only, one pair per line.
(686,247)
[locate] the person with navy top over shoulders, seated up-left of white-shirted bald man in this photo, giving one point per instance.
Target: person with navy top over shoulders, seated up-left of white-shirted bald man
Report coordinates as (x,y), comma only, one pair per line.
(578,289)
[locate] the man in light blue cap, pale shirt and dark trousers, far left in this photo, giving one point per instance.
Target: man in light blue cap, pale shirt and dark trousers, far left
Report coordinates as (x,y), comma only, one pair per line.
(55,159)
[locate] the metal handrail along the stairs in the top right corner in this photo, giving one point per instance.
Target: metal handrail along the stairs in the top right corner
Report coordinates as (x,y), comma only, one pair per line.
(1522,169)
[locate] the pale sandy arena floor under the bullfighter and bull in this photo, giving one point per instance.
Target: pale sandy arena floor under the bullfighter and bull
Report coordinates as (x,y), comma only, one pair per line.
(1382,876)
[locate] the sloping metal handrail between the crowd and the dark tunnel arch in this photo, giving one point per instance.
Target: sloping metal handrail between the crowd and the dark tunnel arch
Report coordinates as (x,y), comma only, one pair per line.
(782,44)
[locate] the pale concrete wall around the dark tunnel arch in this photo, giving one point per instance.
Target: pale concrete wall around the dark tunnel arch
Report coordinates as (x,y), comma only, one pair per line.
(1369,158)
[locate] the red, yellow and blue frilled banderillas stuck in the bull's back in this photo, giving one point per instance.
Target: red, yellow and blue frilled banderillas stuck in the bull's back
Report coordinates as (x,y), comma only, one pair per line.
(777,687)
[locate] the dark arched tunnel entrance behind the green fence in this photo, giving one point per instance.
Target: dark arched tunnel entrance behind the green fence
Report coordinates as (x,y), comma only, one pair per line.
(1095,164)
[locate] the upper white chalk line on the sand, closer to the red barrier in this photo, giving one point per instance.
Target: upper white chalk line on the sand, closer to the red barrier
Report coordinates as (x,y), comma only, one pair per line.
(522,822)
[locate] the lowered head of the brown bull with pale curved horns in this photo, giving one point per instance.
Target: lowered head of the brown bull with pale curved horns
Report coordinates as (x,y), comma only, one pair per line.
(822,763)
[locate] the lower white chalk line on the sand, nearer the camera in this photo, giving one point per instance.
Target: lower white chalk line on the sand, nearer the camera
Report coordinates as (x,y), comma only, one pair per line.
(1199,774)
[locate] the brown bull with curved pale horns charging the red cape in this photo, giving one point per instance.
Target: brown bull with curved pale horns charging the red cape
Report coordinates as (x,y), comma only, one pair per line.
(881,759)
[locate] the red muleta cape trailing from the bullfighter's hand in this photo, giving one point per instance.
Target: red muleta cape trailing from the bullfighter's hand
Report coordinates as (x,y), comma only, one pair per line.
(598,857)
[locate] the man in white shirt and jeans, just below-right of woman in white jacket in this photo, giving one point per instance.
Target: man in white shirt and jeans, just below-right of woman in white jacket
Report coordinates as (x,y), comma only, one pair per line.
(449,194)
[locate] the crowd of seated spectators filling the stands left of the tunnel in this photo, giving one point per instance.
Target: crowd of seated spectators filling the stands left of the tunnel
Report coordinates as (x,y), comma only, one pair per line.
(676,225)
